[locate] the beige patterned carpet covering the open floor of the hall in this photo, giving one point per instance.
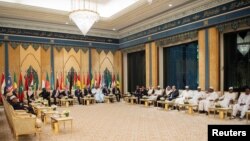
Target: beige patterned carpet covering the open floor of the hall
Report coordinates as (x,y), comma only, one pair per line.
(123,122)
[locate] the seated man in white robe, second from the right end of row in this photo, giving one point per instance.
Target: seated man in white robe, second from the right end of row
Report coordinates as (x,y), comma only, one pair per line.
(224,100)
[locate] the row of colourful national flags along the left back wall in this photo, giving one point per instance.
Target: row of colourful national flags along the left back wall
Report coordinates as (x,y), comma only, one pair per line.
(70,81)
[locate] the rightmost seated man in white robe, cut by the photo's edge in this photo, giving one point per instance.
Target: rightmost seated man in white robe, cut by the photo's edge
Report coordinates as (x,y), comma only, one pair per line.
(243,104)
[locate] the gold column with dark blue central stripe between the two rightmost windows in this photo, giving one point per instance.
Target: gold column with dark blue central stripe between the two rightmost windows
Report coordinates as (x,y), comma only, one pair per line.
(209,74)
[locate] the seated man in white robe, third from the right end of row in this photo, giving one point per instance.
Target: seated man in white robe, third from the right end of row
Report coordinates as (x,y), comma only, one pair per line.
(208,101)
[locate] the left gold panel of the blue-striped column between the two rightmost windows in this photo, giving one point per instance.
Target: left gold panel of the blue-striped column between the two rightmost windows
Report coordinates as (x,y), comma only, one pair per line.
(201,42)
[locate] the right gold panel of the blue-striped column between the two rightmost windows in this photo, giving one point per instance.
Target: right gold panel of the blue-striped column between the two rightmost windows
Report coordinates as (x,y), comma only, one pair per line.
(214,77)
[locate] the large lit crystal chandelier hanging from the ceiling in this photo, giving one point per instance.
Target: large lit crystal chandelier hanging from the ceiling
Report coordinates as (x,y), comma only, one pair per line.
(84,14)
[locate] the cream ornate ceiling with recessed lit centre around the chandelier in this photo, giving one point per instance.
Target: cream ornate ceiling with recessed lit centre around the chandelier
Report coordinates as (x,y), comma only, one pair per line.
(137,15)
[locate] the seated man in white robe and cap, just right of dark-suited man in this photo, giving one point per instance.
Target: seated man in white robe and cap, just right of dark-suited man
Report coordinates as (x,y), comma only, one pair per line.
(185,95)
